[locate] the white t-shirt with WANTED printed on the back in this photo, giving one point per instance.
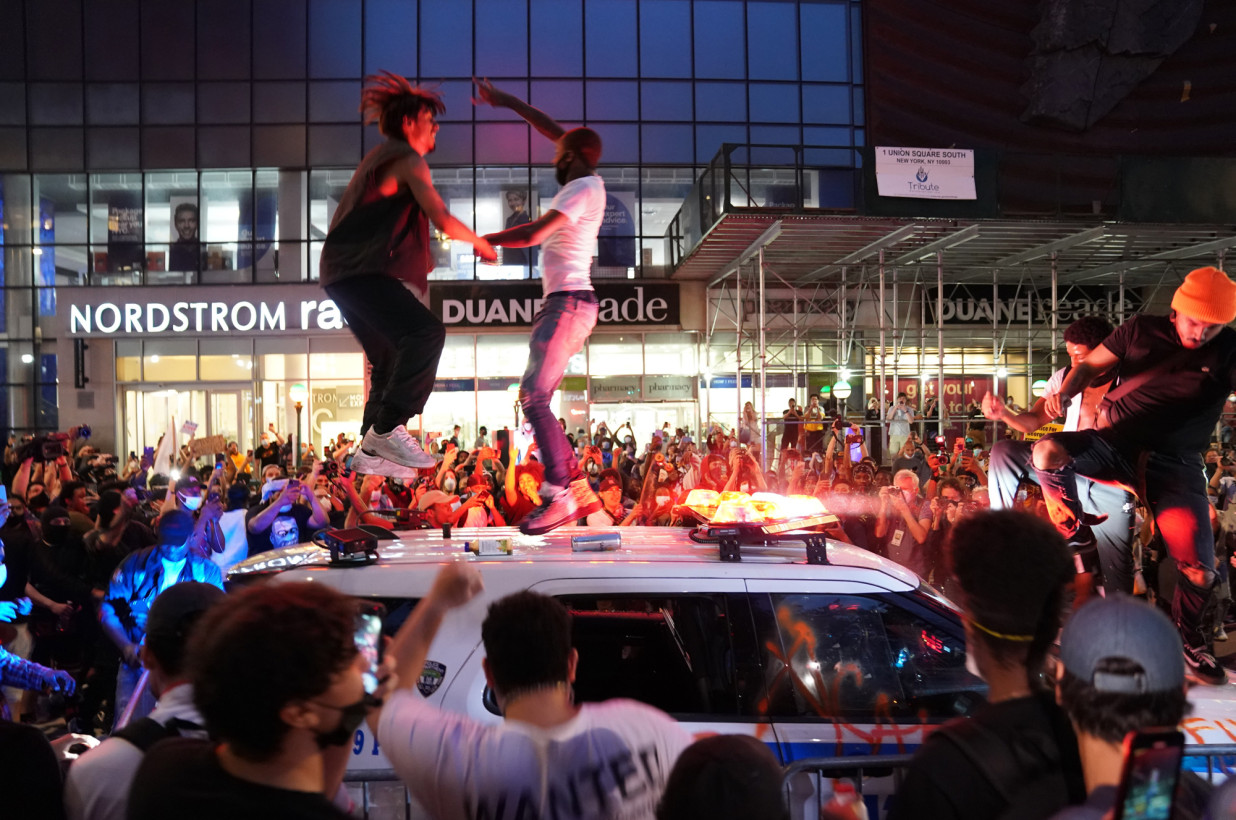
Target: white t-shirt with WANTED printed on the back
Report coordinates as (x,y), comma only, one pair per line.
(610,762)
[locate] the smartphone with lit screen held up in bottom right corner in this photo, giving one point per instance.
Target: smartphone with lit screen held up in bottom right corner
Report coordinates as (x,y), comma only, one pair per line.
(1150,775)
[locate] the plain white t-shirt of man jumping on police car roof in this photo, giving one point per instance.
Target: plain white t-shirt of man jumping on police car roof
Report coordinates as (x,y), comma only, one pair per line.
(567,255)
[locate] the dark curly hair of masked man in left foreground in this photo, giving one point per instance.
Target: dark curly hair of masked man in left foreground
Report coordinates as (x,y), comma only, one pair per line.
(270,646)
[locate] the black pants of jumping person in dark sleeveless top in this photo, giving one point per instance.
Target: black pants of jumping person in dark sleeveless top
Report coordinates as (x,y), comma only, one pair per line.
(402,340)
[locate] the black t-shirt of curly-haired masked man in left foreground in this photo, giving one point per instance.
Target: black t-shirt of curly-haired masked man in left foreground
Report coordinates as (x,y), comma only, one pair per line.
(182,779)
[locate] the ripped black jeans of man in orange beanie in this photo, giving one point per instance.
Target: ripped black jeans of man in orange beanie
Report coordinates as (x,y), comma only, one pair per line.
(1175,490)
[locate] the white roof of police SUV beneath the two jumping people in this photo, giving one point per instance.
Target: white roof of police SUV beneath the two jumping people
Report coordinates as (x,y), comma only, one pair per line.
(662,552)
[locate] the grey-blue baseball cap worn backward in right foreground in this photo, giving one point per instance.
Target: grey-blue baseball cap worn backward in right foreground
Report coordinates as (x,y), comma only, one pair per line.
(1124,629)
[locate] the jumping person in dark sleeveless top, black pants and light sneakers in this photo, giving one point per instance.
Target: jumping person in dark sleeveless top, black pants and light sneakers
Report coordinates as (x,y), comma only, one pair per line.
(376,264)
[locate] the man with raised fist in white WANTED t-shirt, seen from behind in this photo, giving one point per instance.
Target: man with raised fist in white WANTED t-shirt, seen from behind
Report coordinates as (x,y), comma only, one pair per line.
(549,759)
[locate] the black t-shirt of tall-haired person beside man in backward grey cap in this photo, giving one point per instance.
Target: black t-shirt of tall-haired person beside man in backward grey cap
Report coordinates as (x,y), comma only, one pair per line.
(944,784)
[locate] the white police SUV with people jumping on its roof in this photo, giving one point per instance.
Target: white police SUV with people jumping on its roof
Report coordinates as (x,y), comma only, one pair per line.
(814,646)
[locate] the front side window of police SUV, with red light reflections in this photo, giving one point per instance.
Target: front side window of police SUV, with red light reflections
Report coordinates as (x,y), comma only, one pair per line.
(863,660)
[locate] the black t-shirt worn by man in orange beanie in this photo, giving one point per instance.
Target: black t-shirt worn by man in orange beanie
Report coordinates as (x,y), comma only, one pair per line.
(1175,411)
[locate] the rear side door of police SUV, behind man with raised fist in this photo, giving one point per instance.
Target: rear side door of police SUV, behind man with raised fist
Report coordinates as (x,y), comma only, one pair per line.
(685,646)
